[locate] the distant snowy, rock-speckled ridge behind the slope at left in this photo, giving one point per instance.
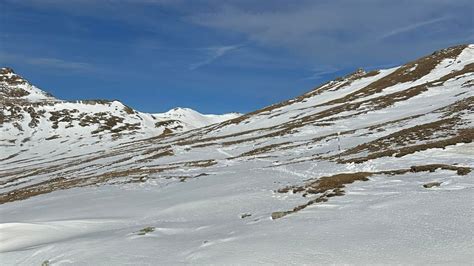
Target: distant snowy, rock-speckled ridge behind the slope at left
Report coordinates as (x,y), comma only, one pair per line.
(31,114)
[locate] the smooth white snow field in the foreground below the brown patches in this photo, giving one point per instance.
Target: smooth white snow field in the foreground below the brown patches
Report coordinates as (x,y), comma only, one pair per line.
(389,219)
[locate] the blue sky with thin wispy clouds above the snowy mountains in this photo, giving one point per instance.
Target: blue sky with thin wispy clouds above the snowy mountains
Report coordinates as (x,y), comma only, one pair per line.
(216,56)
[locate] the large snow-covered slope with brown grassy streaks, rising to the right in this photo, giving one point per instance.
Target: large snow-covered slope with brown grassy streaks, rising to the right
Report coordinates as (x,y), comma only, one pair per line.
(372,167)
